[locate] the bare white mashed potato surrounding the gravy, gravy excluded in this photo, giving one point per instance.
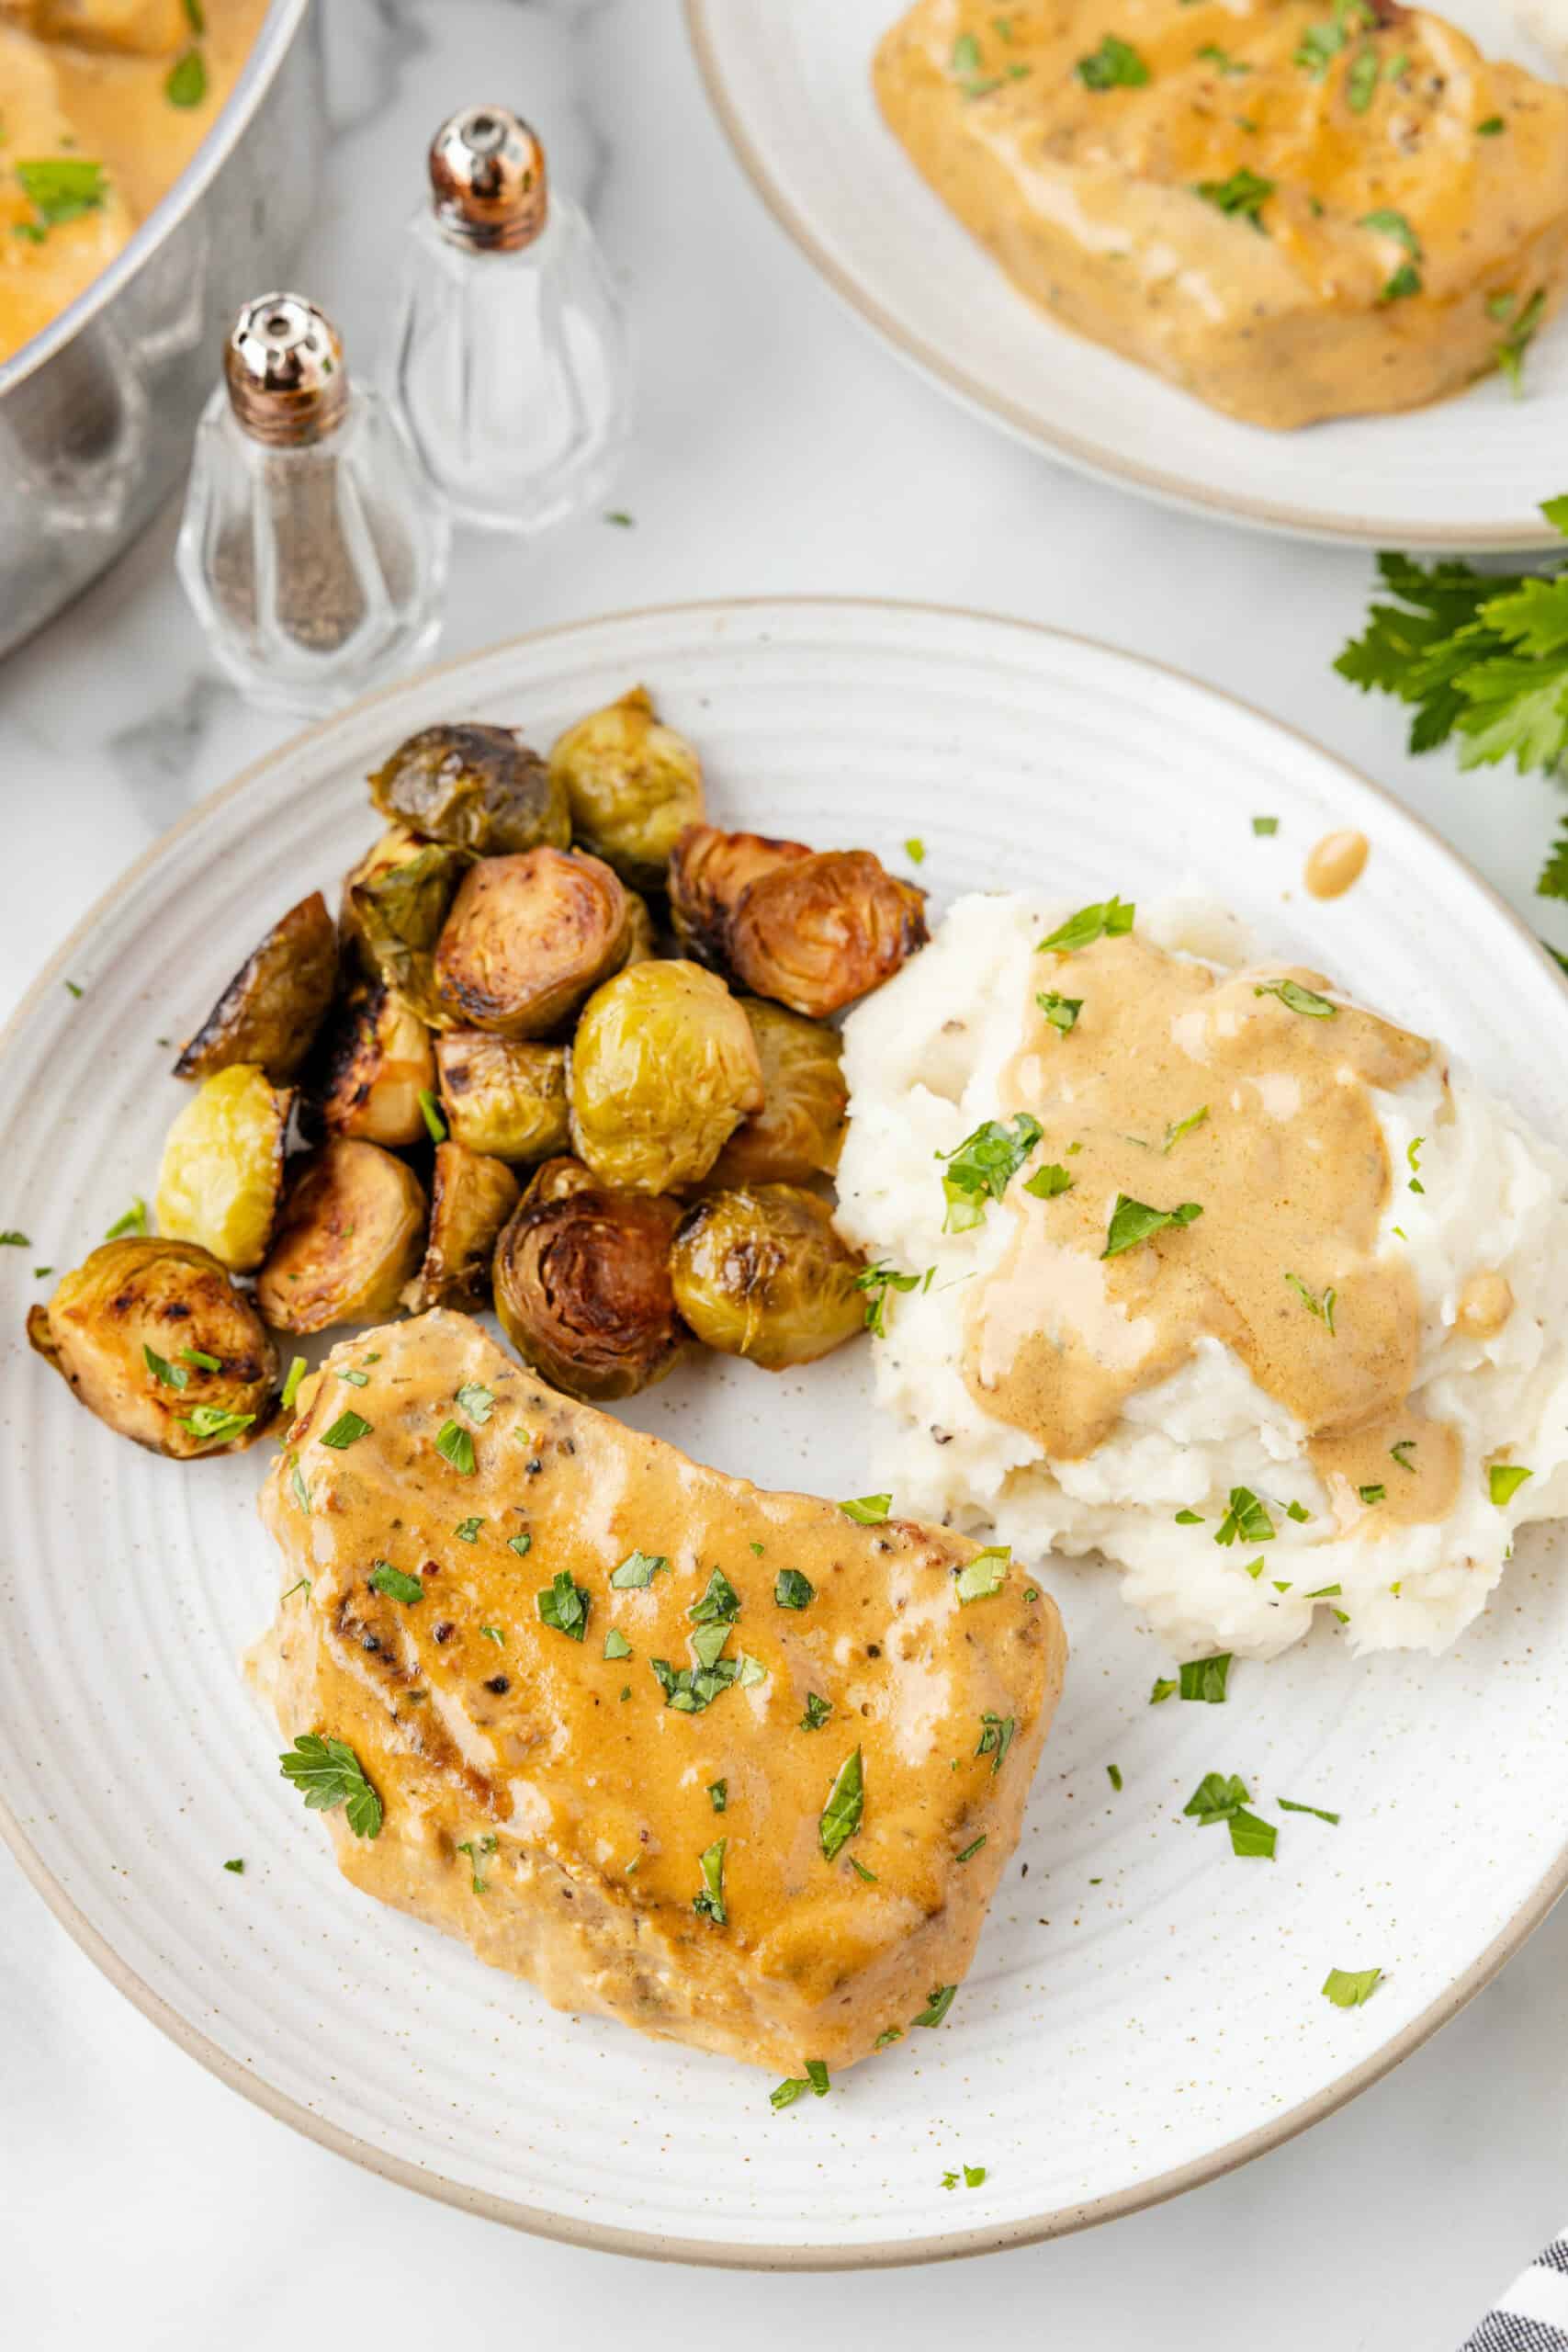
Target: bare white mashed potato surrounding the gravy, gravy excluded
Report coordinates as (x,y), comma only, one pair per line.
(925,1064)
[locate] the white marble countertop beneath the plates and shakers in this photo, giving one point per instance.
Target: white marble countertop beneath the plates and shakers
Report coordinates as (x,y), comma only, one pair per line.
(777,450)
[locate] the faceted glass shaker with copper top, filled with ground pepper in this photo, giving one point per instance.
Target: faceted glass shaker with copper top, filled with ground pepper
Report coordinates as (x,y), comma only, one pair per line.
(311,547)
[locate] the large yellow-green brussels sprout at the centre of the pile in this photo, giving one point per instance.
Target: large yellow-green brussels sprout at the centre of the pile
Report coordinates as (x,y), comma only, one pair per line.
(664,1064)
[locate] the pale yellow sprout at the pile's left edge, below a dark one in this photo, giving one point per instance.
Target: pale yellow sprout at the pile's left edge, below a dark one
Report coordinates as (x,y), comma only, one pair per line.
(222,1168)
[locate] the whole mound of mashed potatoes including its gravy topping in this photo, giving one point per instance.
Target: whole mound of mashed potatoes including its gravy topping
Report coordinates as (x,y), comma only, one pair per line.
(1313,1379)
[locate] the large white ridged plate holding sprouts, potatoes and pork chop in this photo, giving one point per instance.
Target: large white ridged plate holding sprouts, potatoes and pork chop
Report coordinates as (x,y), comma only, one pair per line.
(1144,2007)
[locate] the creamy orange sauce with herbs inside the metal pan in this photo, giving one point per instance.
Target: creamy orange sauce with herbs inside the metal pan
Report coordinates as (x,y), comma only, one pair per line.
(86,81)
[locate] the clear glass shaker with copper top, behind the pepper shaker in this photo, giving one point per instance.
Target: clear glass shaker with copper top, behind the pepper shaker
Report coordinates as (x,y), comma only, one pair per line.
(509,354)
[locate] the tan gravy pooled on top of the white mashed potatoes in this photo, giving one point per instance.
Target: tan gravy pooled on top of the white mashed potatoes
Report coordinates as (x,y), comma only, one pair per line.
(1292,1175)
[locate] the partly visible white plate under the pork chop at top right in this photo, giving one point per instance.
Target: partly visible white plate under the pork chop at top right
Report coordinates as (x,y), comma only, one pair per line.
(791,86)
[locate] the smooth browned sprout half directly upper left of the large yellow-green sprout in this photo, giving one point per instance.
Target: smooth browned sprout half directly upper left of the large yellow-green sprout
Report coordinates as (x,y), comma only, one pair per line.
(528,940)
